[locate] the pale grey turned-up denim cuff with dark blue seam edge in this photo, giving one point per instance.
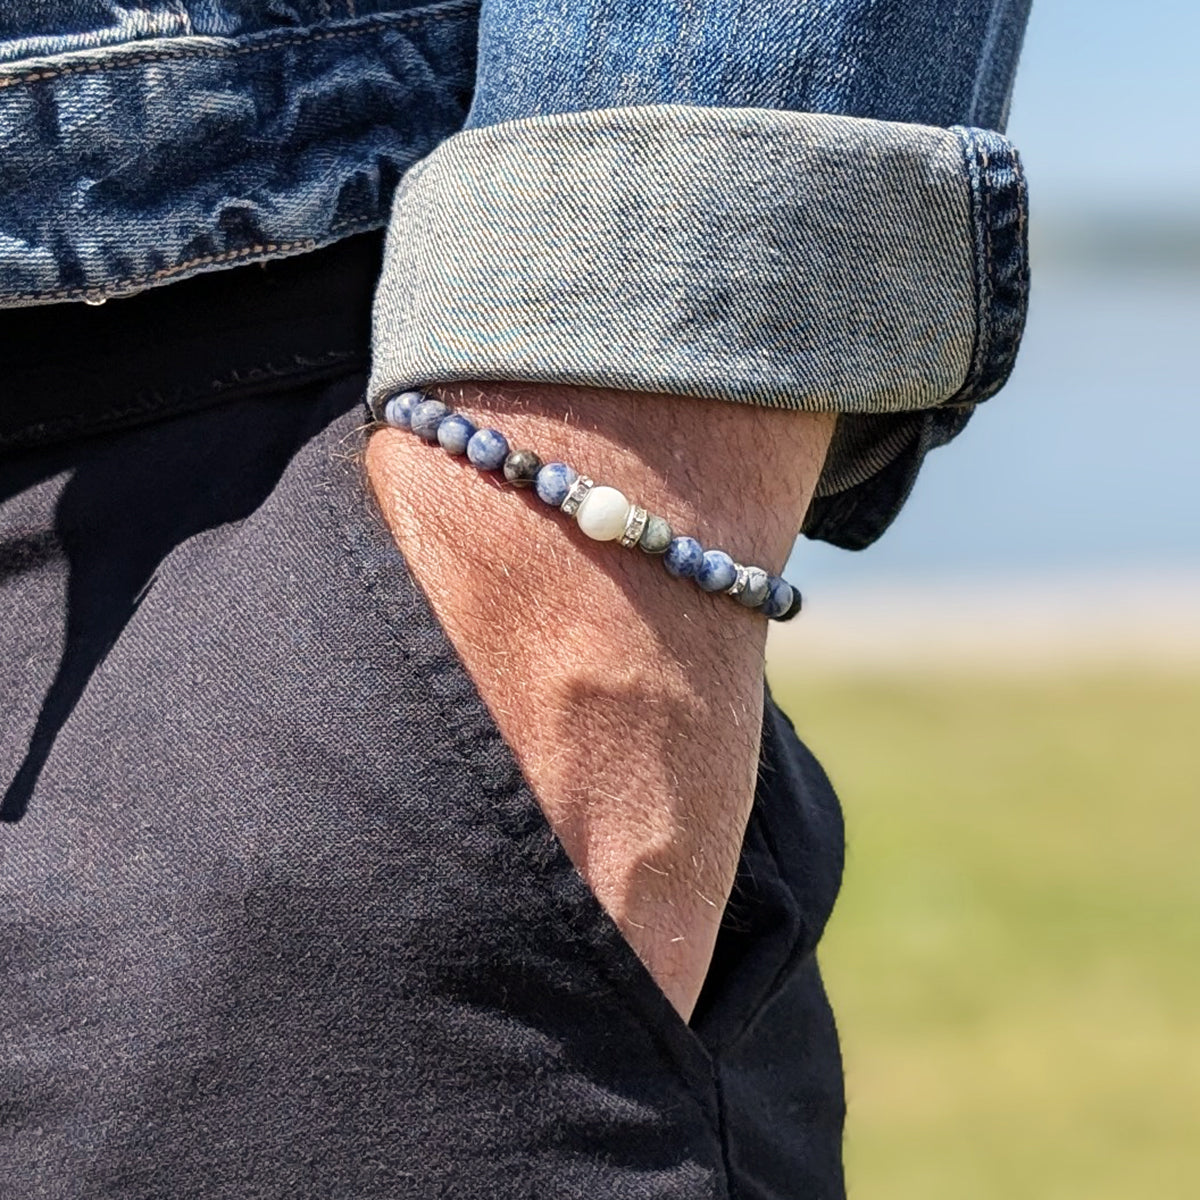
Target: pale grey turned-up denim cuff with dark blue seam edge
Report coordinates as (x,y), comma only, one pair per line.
(791,260)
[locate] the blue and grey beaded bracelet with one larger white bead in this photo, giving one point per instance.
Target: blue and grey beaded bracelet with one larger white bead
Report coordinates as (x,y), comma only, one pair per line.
(602,513)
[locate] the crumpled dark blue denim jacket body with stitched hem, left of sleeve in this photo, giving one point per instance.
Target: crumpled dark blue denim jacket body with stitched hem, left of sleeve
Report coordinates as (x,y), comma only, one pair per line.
(141,143)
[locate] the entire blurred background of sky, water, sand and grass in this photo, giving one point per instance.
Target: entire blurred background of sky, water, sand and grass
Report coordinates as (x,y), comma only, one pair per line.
(1006,689)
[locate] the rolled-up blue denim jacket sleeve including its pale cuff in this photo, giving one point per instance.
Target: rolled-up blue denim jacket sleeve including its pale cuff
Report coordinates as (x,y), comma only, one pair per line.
(801,203)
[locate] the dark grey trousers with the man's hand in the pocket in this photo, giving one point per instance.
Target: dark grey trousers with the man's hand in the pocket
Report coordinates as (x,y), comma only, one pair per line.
(279,916)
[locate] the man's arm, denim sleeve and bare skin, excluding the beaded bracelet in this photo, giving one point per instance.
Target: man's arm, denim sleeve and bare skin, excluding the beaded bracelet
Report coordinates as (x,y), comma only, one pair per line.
(651,197)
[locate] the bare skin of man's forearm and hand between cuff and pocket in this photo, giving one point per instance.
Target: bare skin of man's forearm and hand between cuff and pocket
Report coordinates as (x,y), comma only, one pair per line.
(633,700)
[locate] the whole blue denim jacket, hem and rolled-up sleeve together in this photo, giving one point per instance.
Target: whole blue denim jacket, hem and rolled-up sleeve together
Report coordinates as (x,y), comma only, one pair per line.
(795,203)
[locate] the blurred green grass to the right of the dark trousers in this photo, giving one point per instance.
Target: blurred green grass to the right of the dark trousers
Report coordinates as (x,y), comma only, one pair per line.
(1016,957)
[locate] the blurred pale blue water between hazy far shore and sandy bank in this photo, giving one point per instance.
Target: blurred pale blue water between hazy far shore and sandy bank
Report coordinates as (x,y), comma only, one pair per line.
(1087,463)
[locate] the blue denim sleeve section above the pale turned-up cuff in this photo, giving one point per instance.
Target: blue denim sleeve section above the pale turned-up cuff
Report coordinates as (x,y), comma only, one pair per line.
(920,62)
